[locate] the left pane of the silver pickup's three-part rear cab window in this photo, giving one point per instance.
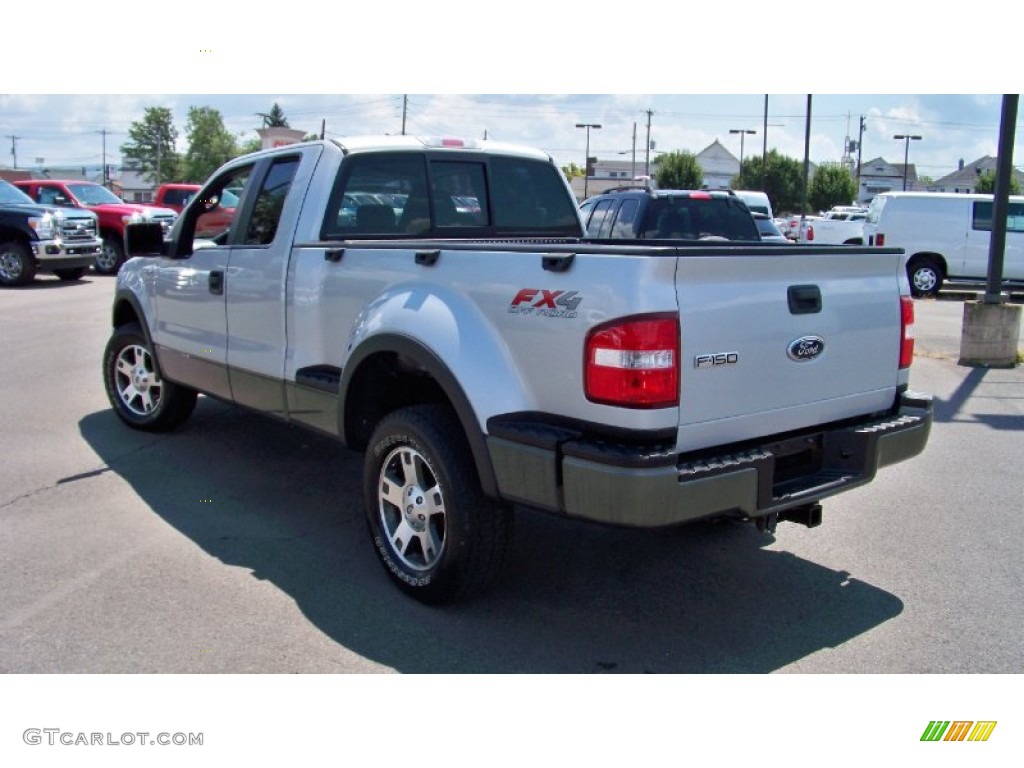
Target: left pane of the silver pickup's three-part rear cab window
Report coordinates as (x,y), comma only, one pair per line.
(379,195)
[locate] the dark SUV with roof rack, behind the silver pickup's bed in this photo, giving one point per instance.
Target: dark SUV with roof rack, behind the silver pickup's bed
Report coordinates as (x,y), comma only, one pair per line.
(638,214)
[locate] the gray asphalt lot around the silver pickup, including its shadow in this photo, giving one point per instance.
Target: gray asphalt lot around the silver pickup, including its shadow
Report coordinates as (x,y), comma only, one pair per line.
(238,545)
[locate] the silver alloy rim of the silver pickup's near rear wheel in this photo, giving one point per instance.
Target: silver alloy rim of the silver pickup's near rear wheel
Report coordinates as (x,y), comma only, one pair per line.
(412,509)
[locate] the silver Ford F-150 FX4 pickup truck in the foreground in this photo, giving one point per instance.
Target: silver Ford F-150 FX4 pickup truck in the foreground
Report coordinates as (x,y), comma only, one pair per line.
(436,305)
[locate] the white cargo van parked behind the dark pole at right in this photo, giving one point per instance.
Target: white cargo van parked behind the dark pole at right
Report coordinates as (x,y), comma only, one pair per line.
(946,237)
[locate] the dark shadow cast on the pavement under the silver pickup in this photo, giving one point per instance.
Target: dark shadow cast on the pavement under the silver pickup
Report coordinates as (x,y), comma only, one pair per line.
(575,598)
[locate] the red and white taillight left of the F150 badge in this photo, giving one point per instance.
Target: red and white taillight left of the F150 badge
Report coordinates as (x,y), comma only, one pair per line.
(634,363)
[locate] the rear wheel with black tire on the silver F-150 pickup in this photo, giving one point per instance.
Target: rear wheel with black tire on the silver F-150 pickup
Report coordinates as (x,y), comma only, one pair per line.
(438,536)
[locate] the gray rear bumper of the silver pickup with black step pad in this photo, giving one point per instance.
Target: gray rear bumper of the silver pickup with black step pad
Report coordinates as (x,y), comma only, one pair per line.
(568,471)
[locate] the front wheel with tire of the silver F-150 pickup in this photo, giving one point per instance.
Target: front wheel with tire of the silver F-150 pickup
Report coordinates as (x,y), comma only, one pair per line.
(140,398)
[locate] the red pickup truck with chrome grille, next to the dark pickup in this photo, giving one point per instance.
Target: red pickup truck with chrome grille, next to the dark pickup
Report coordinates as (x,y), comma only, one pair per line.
(113,214)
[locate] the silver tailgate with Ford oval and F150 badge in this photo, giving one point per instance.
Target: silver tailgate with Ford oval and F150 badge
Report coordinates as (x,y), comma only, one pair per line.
(774,344)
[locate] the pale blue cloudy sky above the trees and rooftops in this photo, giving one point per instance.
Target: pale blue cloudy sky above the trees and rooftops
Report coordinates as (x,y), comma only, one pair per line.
(69,130)
